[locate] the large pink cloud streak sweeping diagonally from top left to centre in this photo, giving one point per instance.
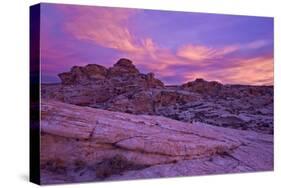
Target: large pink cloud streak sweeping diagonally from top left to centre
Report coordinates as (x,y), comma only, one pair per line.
(110,28)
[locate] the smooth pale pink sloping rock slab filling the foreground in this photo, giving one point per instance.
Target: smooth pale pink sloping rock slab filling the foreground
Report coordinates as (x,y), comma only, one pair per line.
(88,144)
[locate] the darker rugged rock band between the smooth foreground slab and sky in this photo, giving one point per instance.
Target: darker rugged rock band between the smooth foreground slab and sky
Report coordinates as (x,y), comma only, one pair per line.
(123,88)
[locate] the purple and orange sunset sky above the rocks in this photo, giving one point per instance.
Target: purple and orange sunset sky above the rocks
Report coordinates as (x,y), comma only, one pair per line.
(176,46)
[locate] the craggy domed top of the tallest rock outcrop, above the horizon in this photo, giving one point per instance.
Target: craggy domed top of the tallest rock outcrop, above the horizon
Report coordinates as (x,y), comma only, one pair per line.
(123,70)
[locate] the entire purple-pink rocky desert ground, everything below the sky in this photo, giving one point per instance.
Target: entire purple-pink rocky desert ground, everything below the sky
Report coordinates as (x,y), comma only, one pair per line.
(117,123)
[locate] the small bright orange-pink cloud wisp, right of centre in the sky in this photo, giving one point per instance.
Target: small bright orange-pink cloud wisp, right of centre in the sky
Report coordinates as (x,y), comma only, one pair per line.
(200,52)
